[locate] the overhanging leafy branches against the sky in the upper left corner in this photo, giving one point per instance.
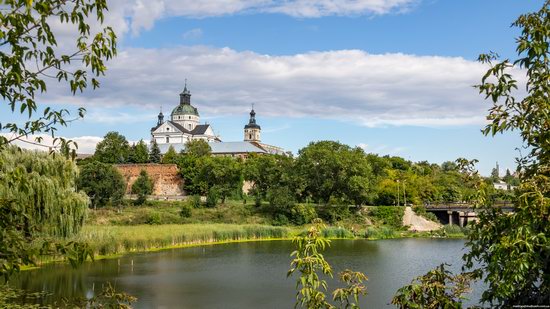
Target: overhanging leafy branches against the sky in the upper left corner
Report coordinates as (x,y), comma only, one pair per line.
(30,56)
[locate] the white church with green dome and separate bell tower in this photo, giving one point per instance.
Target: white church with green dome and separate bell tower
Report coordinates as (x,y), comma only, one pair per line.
(184,125)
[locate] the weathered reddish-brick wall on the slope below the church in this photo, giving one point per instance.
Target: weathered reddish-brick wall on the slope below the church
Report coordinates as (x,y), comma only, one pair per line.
(166,179)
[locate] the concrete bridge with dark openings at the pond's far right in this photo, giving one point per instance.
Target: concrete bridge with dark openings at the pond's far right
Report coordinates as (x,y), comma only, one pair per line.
(461,213)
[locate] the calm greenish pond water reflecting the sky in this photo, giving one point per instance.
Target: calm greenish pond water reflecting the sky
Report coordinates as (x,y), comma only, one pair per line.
(244,275)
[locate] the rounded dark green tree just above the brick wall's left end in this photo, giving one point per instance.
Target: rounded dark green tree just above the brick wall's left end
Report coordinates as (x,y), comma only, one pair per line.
(114,149)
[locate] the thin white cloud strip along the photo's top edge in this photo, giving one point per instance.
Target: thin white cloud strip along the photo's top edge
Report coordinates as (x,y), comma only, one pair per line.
(137,15)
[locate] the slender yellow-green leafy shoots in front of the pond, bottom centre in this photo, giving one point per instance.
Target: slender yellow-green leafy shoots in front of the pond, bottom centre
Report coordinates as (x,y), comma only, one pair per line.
(308,261)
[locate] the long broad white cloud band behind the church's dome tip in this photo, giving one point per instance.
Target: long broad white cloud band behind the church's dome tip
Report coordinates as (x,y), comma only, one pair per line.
(346,85)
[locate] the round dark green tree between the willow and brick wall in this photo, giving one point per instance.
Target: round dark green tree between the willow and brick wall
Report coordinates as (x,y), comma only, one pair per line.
(102,183)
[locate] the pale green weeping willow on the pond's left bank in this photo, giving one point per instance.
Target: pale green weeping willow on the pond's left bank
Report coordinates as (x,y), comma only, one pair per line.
(39,206)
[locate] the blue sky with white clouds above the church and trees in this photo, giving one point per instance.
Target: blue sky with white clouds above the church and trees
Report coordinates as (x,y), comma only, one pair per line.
(394,77)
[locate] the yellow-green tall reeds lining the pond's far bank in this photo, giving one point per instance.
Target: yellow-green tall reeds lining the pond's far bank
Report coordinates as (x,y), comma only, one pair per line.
(106,240)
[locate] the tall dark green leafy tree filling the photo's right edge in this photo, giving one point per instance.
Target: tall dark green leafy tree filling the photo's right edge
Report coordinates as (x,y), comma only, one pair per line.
(514,249)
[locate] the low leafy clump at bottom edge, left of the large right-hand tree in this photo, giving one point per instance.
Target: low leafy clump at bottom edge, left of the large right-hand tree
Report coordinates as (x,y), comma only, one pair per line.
(439,288)
